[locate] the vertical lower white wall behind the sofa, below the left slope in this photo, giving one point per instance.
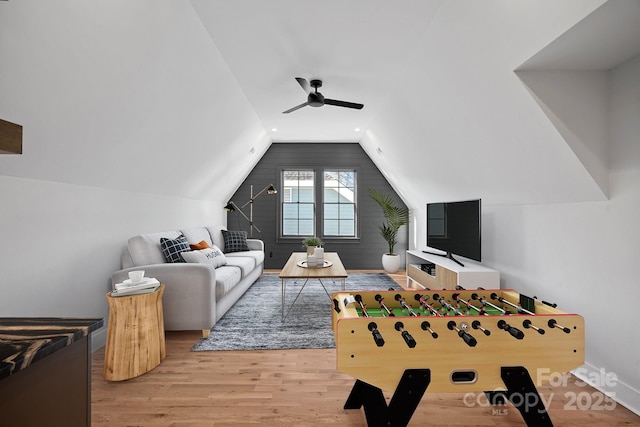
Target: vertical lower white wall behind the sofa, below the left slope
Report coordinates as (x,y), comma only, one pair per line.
(61,242)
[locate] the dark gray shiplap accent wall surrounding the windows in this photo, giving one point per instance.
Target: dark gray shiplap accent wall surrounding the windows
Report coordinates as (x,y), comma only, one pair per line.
(366,252)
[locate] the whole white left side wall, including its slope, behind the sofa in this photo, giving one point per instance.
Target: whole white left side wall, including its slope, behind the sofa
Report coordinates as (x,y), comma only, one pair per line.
(124,133)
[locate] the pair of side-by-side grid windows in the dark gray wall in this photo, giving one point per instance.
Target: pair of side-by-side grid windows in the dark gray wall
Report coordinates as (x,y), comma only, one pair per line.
(334,190)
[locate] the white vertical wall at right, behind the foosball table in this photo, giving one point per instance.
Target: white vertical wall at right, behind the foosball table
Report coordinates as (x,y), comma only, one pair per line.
(584,256)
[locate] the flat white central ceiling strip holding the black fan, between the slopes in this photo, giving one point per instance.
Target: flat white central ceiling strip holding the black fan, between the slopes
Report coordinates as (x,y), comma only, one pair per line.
(358,48)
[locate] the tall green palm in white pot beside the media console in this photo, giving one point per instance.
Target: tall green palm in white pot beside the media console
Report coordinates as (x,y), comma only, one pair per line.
(395,217)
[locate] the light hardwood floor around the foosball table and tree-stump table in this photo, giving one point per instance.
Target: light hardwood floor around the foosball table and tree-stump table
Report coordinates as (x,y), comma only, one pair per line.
(298,388)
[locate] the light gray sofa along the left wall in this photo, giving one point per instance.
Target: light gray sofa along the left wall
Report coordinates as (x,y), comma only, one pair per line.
(196,295)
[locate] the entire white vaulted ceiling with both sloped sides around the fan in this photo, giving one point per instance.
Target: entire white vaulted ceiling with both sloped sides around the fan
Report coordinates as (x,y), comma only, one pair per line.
(493,99)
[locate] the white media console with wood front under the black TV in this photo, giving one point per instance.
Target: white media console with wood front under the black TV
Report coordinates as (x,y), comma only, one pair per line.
(447,274)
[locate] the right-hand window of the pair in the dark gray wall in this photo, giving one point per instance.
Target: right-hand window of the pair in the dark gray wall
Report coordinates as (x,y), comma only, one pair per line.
(339,203)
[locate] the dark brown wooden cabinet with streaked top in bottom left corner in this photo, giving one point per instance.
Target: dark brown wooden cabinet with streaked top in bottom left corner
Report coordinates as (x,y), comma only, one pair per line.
(45,376)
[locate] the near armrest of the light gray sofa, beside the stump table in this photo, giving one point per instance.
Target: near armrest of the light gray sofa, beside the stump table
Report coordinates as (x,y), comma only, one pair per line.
(189,301)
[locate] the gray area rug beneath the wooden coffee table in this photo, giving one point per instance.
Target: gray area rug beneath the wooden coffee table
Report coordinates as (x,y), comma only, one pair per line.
(254,322)
